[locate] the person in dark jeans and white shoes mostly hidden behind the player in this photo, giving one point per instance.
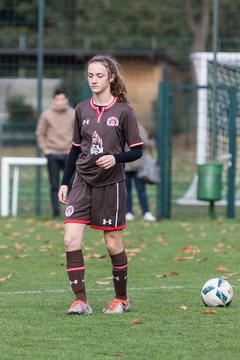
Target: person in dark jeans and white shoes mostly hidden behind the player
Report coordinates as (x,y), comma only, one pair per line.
(131,170)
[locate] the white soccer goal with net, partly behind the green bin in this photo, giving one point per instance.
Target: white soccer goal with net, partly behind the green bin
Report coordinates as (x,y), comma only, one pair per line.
(227,75)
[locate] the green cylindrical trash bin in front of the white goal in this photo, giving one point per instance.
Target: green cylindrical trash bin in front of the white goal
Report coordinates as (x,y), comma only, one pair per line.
(209,182)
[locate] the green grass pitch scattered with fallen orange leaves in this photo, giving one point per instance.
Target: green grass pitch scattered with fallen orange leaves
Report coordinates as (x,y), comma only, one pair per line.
(169,262)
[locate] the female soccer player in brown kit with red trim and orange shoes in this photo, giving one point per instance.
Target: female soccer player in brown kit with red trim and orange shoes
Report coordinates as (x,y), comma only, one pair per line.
(103,125)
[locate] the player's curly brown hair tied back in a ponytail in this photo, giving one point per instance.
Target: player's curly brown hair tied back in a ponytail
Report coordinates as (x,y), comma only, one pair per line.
(117,86)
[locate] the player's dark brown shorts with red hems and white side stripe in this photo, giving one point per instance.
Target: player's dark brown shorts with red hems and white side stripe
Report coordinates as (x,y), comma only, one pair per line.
(100,207)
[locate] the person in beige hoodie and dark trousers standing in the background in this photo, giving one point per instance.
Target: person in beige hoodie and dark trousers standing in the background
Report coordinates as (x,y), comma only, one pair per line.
(54,136)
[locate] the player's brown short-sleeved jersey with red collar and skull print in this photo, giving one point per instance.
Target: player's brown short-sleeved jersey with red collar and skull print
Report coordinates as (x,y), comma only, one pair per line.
(103,131)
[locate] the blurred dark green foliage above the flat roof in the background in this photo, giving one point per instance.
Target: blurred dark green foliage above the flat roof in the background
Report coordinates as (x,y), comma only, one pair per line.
(177,27)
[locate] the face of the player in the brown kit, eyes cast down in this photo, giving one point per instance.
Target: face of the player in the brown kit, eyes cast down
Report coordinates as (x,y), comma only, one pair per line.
(98,78)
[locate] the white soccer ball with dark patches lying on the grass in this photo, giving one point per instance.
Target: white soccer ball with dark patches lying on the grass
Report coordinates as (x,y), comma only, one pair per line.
(217,292)
